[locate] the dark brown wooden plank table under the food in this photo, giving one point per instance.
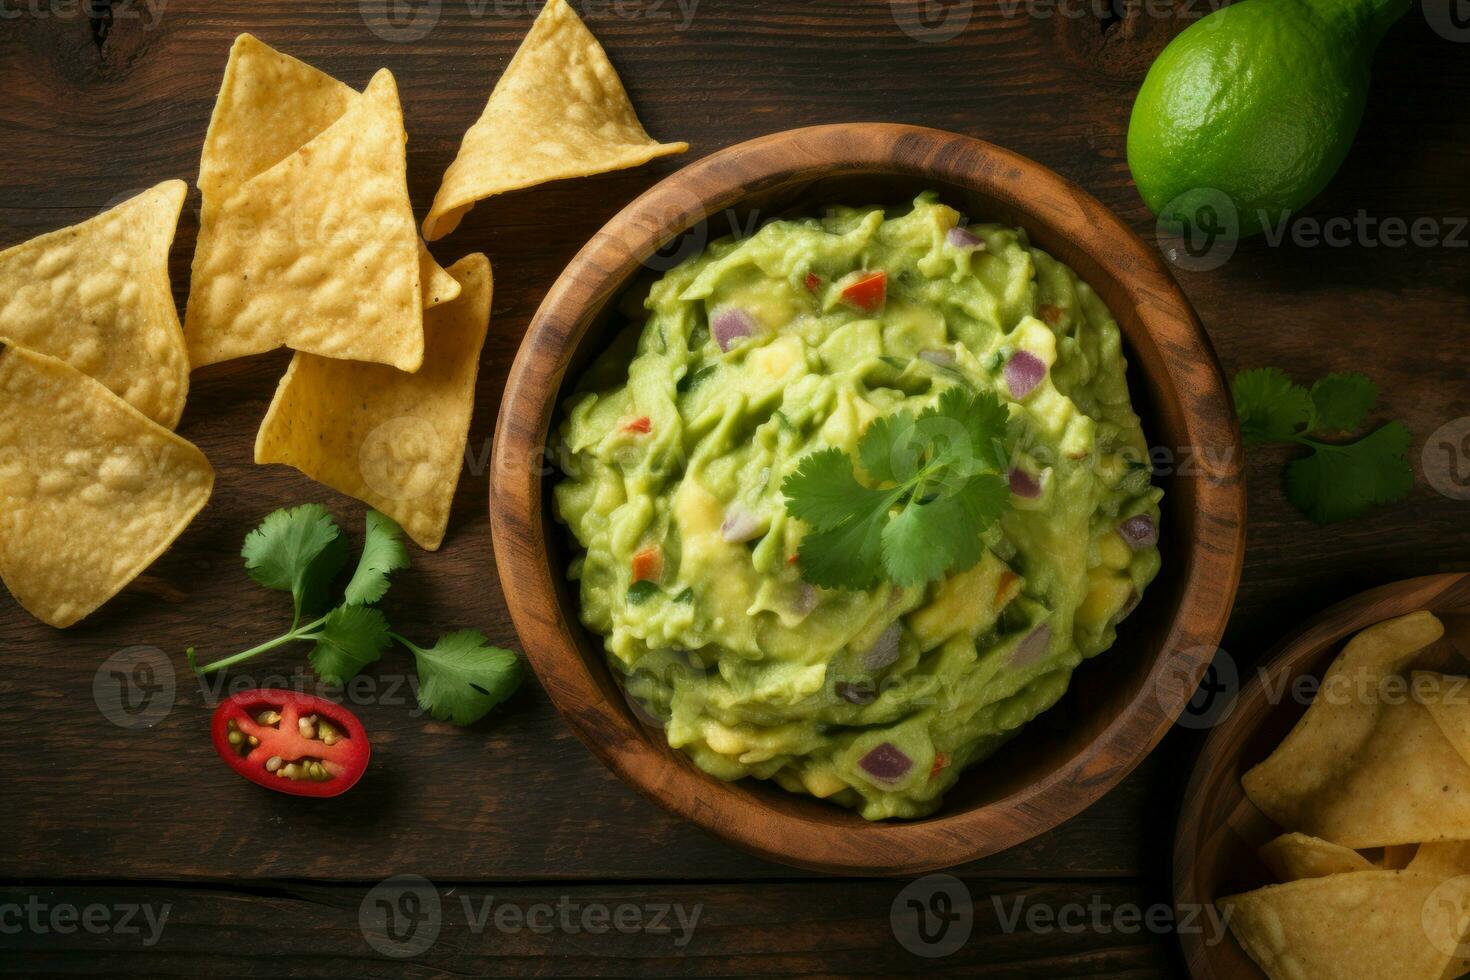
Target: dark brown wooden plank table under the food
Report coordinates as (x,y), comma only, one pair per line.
(102,101)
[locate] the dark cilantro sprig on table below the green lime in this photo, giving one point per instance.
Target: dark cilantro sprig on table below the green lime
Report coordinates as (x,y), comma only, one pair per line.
(1337,481)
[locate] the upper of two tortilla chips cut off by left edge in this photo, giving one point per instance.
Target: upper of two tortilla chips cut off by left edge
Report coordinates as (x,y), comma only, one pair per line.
(98,296)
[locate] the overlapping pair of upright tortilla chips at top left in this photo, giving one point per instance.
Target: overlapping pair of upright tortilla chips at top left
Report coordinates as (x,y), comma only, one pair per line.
(308,237)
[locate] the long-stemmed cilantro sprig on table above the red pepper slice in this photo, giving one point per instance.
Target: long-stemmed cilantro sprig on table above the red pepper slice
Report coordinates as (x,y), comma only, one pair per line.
(302,552)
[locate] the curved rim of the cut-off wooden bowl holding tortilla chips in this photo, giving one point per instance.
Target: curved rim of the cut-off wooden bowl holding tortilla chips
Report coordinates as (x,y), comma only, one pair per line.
(1306,650)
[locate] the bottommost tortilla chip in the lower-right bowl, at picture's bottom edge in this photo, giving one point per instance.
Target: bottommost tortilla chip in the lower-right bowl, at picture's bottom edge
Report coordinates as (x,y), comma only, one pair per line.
(1359,925)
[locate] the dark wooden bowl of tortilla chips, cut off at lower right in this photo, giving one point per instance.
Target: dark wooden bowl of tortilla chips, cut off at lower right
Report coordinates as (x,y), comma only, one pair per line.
(1219,828)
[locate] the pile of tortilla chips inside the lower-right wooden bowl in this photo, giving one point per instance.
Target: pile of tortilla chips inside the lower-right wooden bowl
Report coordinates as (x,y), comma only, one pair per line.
(1380,762)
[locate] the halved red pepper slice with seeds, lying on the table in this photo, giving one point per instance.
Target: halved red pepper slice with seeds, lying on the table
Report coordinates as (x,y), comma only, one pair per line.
(292,743)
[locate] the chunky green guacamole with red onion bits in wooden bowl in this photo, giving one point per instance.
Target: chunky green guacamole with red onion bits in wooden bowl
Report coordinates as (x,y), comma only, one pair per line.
(761,352)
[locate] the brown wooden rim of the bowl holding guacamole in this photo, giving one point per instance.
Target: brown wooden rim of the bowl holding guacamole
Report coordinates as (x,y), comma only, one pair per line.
(609,262)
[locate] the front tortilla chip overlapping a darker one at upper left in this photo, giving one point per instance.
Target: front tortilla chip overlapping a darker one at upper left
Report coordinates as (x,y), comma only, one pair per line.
(318,253)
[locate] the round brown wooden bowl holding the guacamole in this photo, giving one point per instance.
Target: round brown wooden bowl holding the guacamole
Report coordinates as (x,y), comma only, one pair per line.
(1074,753)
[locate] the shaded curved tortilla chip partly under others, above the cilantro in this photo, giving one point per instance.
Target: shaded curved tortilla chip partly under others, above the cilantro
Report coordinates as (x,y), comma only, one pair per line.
(392,440)
